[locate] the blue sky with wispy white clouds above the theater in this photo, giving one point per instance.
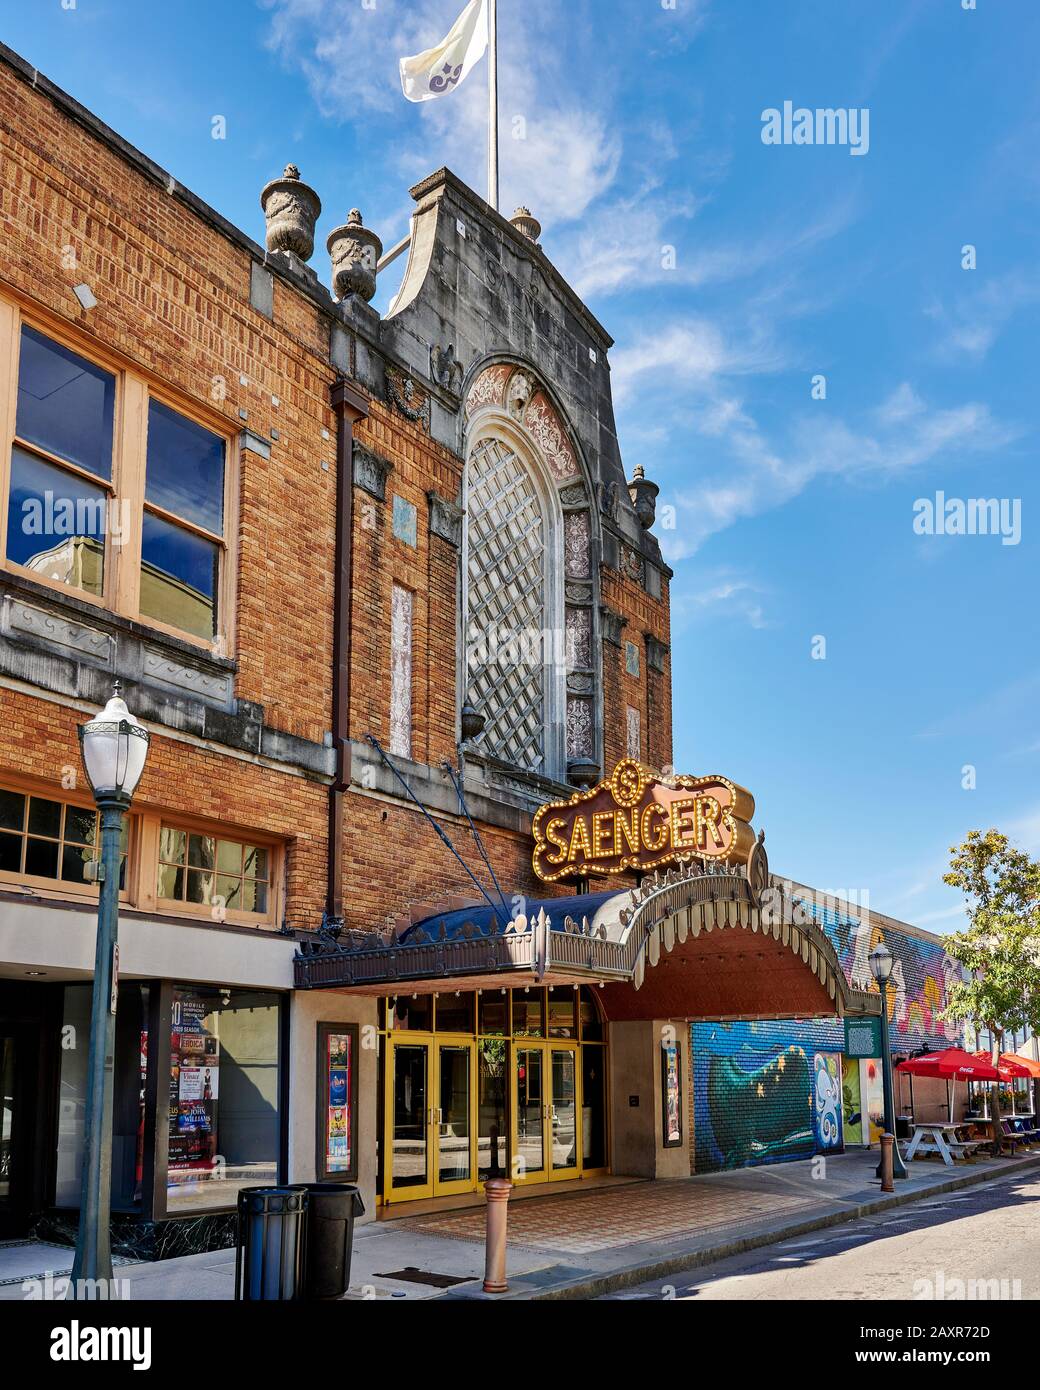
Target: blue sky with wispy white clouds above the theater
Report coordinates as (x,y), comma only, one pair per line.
(793,516)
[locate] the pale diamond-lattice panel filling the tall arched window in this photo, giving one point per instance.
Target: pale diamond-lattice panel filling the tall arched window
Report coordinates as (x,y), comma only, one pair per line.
(514,668)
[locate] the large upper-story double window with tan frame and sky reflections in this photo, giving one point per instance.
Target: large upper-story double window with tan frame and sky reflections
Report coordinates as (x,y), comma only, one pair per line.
(112,491)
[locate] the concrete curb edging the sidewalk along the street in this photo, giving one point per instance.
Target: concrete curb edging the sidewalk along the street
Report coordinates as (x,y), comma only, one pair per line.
(590,1286)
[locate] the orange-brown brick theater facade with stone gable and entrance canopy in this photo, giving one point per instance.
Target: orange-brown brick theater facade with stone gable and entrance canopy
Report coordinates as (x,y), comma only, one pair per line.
(379,587)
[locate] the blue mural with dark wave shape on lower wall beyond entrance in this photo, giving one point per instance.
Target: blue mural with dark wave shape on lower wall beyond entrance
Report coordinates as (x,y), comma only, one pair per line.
(756,1090)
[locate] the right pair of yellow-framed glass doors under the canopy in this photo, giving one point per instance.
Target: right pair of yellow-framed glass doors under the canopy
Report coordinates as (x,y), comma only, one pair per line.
(547,1106)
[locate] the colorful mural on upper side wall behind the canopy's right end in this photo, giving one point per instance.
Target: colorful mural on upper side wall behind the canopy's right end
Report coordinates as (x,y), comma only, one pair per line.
(923,975)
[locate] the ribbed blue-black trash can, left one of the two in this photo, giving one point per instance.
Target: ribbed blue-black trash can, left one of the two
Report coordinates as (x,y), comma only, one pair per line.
(269,1261)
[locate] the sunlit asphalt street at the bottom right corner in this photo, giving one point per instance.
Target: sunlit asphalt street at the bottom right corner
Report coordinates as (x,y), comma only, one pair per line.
(977,1243)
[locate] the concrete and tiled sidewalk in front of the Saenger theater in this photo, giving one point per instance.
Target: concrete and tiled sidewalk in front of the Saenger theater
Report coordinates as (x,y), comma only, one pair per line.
(571,1246)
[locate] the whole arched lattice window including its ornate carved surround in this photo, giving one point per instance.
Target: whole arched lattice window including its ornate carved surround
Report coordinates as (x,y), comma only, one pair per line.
(530,586)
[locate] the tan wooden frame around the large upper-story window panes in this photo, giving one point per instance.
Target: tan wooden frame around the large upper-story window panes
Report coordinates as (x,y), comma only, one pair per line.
(134,391)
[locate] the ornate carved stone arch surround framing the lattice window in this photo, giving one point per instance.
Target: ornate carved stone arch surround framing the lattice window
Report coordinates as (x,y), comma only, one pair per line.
(507,401)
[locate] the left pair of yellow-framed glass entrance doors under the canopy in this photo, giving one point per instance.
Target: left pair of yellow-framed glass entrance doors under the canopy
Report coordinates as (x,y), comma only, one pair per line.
(432,1111)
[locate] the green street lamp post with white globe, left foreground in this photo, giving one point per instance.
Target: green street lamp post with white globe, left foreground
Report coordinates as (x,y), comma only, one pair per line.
(113,749)
